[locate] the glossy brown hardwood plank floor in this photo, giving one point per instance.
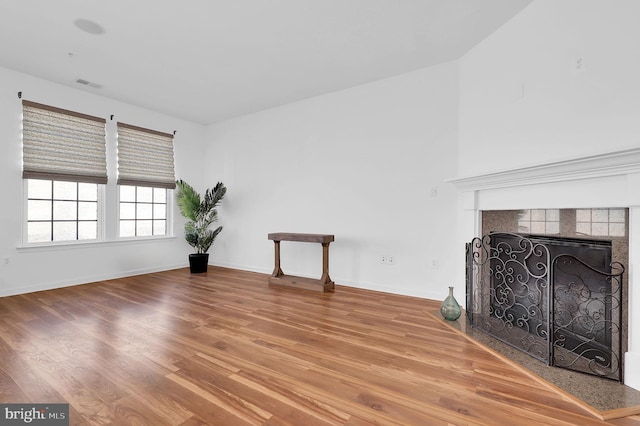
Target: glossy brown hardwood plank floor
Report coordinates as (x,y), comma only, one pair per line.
(223,348)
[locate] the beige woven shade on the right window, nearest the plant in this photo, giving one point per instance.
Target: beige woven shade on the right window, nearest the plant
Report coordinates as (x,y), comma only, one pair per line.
(145,157)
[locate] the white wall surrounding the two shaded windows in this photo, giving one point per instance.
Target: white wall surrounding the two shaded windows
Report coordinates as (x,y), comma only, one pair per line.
(29,269)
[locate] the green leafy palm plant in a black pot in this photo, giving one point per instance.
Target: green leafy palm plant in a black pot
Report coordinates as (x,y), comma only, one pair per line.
(201,213)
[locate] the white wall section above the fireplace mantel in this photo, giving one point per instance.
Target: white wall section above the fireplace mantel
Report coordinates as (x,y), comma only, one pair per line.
(524,100)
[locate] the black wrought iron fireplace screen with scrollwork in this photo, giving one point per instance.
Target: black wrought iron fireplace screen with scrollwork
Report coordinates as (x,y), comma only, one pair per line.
(557,299)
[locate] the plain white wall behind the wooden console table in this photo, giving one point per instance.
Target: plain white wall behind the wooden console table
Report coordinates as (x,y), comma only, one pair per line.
(360,164)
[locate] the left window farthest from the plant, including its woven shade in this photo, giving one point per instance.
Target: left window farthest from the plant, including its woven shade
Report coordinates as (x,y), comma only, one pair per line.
(64,166)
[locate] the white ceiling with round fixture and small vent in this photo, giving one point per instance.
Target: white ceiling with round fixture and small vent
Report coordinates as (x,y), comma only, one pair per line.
(210,60)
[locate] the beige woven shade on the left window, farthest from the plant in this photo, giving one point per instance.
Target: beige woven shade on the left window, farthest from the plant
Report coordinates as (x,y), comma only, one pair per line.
(62,145)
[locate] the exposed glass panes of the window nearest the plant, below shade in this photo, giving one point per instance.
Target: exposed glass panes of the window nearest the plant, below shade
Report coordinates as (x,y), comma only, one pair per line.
(143,211)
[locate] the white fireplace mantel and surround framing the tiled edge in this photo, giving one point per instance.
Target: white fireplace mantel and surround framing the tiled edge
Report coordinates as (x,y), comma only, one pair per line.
(599,181)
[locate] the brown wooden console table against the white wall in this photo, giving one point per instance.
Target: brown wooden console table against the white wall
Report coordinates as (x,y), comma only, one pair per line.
(323,284)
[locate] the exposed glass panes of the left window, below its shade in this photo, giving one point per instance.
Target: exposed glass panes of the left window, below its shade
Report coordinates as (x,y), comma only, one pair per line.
(61,211)
